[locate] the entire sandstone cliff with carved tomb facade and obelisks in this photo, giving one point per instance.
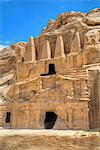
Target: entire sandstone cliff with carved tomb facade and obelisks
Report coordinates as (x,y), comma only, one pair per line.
(52,81)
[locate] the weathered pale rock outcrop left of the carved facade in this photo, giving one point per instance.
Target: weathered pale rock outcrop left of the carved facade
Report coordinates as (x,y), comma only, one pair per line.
(7,66)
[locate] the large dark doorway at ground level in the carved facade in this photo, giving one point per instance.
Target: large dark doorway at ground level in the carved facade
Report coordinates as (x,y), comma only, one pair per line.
(50,119)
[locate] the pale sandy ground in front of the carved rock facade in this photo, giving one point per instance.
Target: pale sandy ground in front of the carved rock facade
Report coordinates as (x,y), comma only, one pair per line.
(49,140)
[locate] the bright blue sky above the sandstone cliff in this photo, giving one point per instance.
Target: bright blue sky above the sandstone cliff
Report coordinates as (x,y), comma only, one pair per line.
(20,19)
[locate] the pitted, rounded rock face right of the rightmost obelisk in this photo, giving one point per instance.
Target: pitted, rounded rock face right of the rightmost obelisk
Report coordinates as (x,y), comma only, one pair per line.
(91,53)
